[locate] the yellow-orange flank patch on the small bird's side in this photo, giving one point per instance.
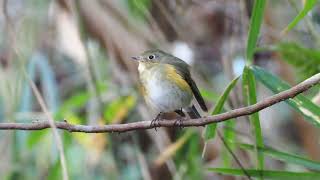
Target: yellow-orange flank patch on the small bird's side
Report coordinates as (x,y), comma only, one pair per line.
(173,76)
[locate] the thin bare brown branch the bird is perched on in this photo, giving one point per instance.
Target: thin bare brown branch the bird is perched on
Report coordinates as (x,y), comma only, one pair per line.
(290,93)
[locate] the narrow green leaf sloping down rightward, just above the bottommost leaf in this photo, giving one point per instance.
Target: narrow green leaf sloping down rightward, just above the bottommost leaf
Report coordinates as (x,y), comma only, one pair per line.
(283,156)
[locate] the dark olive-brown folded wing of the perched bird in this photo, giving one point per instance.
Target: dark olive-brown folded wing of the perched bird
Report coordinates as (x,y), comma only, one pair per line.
(183,69)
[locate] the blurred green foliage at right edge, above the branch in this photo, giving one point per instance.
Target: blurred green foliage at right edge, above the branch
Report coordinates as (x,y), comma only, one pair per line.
(306,60)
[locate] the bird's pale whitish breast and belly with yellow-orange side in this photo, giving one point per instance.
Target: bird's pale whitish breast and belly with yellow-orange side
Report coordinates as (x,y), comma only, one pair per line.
(164,89)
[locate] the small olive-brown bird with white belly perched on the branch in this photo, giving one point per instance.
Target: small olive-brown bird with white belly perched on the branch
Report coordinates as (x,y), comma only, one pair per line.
(167,85)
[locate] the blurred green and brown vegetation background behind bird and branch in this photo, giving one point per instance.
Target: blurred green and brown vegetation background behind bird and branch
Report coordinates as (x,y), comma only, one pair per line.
(77,53)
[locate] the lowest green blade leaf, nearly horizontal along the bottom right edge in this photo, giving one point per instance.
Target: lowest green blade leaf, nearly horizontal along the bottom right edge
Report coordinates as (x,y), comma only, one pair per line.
(268,173)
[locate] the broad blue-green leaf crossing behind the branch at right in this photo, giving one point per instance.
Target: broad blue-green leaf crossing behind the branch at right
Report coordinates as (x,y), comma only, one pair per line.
(300,103)
